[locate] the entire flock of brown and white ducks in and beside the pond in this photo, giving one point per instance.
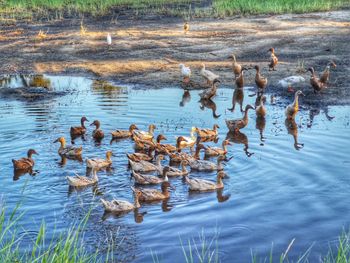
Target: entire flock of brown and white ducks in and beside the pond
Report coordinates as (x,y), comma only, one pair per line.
(150,150)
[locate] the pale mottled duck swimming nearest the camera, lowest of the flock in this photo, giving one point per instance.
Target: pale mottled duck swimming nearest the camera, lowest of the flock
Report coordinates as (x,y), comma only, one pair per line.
(121,206)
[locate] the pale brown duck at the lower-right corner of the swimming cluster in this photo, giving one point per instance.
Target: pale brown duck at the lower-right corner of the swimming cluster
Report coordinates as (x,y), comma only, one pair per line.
(196,184)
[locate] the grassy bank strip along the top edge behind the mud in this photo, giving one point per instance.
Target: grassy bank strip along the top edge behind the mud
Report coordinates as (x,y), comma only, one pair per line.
(48,9)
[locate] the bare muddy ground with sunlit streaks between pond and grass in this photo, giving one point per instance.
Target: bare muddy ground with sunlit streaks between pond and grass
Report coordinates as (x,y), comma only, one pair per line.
(147,52)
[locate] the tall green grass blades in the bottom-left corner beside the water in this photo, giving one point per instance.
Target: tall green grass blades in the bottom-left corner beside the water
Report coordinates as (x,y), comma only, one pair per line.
(64,247)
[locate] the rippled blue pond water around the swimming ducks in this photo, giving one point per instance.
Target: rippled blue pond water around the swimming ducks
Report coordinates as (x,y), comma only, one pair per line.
(275,191)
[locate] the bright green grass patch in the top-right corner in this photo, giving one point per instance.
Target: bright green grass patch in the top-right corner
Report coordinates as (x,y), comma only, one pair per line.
(234,7)
